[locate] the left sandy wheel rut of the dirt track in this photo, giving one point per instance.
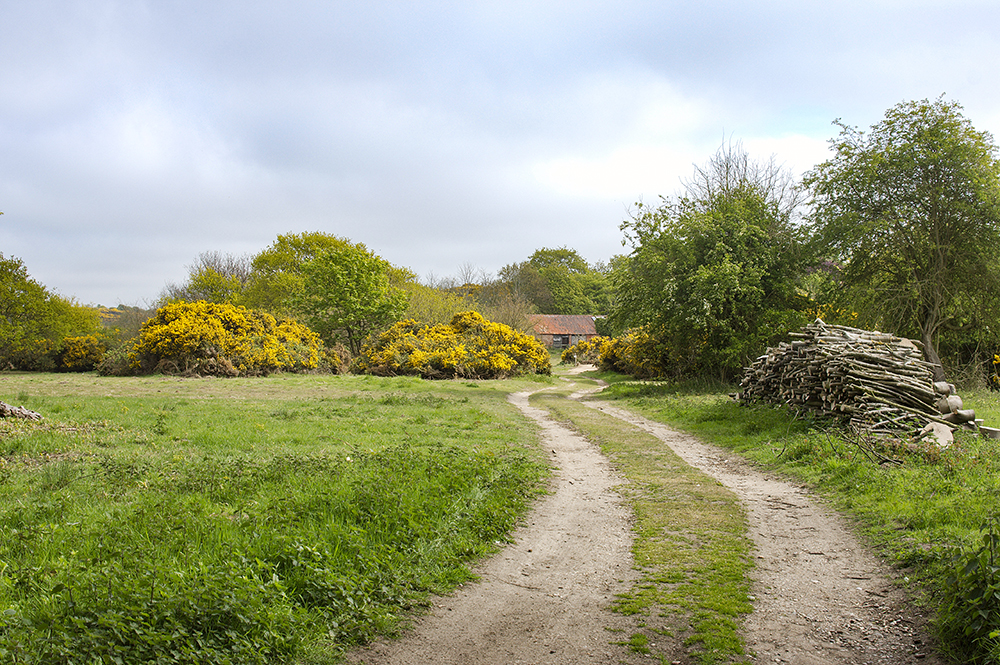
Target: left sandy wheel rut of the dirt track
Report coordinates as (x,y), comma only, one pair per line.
(545,598)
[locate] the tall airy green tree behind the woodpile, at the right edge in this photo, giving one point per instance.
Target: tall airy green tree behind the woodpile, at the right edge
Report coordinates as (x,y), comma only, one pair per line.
(911,209)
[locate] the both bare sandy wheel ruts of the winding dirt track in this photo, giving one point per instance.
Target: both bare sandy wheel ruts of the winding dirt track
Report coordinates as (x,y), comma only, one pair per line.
(819,598)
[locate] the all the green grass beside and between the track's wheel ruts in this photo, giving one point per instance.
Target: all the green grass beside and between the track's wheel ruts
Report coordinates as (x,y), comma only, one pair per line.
(285,519)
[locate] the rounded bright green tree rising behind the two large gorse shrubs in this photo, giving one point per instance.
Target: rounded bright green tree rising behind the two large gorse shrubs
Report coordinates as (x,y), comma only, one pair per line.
(347,294)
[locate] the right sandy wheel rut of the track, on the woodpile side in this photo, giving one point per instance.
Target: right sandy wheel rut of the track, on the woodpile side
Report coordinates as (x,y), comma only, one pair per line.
(820,598)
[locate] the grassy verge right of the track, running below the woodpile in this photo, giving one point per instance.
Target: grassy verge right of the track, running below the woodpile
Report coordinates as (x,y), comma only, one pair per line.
(924,510)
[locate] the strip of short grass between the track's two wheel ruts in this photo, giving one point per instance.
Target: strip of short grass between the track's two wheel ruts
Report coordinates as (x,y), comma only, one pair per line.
(690,543)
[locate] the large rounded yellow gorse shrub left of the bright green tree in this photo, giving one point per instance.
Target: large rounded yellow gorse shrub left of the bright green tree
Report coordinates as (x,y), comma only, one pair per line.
(222,340)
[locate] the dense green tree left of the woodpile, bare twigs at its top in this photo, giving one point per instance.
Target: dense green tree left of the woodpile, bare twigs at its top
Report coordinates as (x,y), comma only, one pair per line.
(713,275)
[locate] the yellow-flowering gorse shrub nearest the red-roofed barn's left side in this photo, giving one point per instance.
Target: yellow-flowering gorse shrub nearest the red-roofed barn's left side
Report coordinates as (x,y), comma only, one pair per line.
(468,347)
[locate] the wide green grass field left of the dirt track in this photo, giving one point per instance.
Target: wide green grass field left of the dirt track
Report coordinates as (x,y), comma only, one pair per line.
(245,521)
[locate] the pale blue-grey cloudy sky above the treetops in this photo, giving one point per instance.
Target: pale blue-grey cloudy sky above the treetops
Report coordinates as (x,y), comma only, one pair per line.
(136,135)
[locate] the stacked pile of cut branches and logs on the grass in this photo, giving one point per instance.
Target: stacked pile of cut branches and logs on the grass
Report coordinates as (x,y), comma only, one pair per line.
(877,382)
